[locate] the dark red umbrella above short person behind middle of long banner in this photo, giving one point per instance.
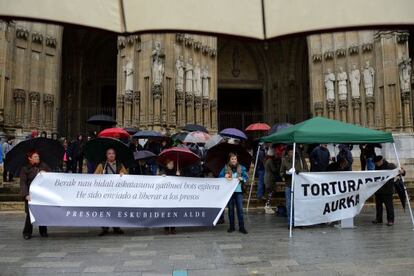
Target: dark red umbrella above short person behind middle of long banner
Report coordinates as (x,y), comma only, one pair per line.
(182,157)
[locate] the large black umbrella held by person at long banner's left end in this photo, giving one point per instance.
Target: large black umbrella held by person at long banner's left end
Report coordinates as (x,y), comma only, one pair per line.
(50,151)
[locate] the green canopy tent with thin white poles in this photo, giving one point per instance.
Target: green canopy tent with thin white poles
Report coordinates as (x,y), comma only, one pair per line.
(326,131)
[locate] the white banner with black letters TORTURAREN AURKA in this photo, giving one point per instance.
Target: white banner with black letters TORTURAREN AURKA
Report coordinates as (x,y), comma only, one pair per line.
(332,196)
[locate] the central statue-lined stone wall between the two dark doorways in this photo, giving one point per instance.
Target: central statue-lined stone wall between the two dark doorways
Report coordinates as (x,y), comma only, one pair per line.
(166,81)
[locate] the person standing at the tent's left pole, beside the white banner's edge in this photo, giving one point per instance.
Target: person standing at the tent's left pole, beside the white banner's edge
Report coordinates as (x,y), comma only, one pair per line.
(286,173)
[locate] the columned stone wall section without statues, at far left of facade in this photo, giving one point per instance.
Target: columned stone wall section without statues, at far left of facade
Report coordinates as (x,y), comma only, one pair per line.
(30,55)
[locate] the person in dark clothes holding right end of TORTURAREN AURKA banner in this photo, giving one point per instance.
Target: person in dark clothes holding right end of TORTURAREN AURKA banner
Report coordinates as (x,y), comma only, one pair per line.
(385,193)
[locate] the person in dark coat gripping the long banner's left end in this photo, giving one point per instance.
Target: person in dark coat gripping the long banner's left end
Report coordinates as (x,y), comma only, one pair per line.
(27,174)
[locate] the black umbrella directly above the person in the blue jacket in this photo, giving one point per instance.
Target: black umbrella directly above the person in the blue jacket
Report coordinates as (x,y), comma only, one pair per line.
(218,156)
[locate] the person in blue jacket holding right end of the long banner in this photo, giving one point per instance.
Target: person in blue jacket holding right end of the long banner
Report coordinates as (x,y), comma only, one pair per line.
(234,170)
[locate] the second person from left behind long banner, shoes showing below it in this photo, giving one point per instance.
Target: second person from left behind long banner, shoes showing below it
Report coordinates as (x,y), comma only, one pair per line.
(111,166)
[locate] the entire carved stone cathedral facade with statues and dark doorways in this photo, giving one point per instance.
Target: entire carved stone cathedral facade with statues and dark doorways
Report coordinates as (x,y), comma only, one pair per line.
(52,78)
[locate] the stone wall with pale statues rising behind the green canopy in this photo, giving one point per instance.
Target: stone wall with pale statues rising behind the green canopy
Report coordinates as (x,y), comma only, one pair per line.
(358,77)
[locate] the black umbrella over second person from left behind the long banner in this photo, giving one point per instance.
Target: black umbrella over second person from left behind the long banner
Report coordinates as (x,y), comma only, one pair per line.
(95,151)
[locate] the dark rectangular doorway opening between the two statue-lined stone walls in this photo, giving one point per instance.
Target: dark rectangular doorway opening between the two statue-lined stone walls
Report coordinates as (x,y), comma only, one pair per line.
(239,107)
